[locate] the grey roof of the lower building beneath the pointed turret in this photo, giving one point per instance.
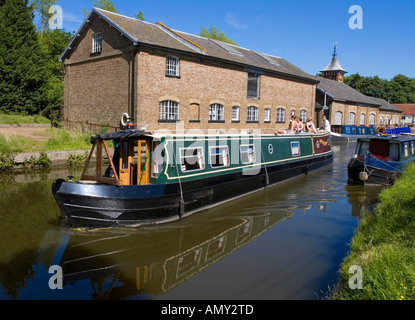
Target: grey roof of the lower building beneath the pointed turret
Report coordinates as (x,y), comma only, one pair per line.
(340,91)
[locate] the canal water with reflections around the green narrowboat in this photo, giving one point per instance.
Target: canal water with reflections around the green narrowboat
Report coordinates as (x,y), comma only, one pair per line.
(285,242)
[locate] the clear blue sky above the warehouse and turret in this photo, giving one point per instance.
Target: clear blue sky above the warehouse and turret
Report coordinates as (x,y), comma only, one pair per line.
(301,31)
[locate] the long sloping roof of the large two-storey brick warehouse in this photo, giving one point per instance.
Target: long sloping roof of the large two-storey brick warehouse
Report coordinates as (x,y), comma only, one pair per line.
(159,35)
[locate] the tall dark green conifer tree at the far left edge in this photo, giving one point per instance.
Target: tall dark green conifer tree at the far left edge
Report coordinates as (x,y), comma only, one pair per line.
(24,69)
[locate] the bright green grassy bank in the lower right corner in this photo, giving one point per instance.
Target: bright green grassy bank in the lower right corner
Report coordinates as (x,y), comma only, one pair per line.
(384,248)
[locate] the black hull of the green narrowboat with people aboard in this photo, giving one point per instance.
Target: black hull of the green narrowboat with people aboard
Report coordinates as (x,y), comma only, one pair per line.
(89,205)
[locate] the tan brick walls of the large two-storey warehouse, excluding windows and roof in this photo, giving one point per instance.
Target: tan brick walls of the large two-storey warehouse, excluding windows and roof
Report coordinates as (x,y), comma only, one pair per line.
(98,88)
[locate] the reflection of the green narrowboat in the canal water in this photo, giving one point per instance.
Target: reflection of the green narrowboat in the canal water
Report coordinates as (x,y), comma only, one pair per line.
(154,260)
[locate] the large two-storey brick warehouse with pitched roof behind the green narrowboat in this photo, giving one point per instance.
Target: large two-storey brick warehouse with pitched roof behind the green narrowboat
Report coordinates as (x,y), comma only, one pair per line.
(159,76)
